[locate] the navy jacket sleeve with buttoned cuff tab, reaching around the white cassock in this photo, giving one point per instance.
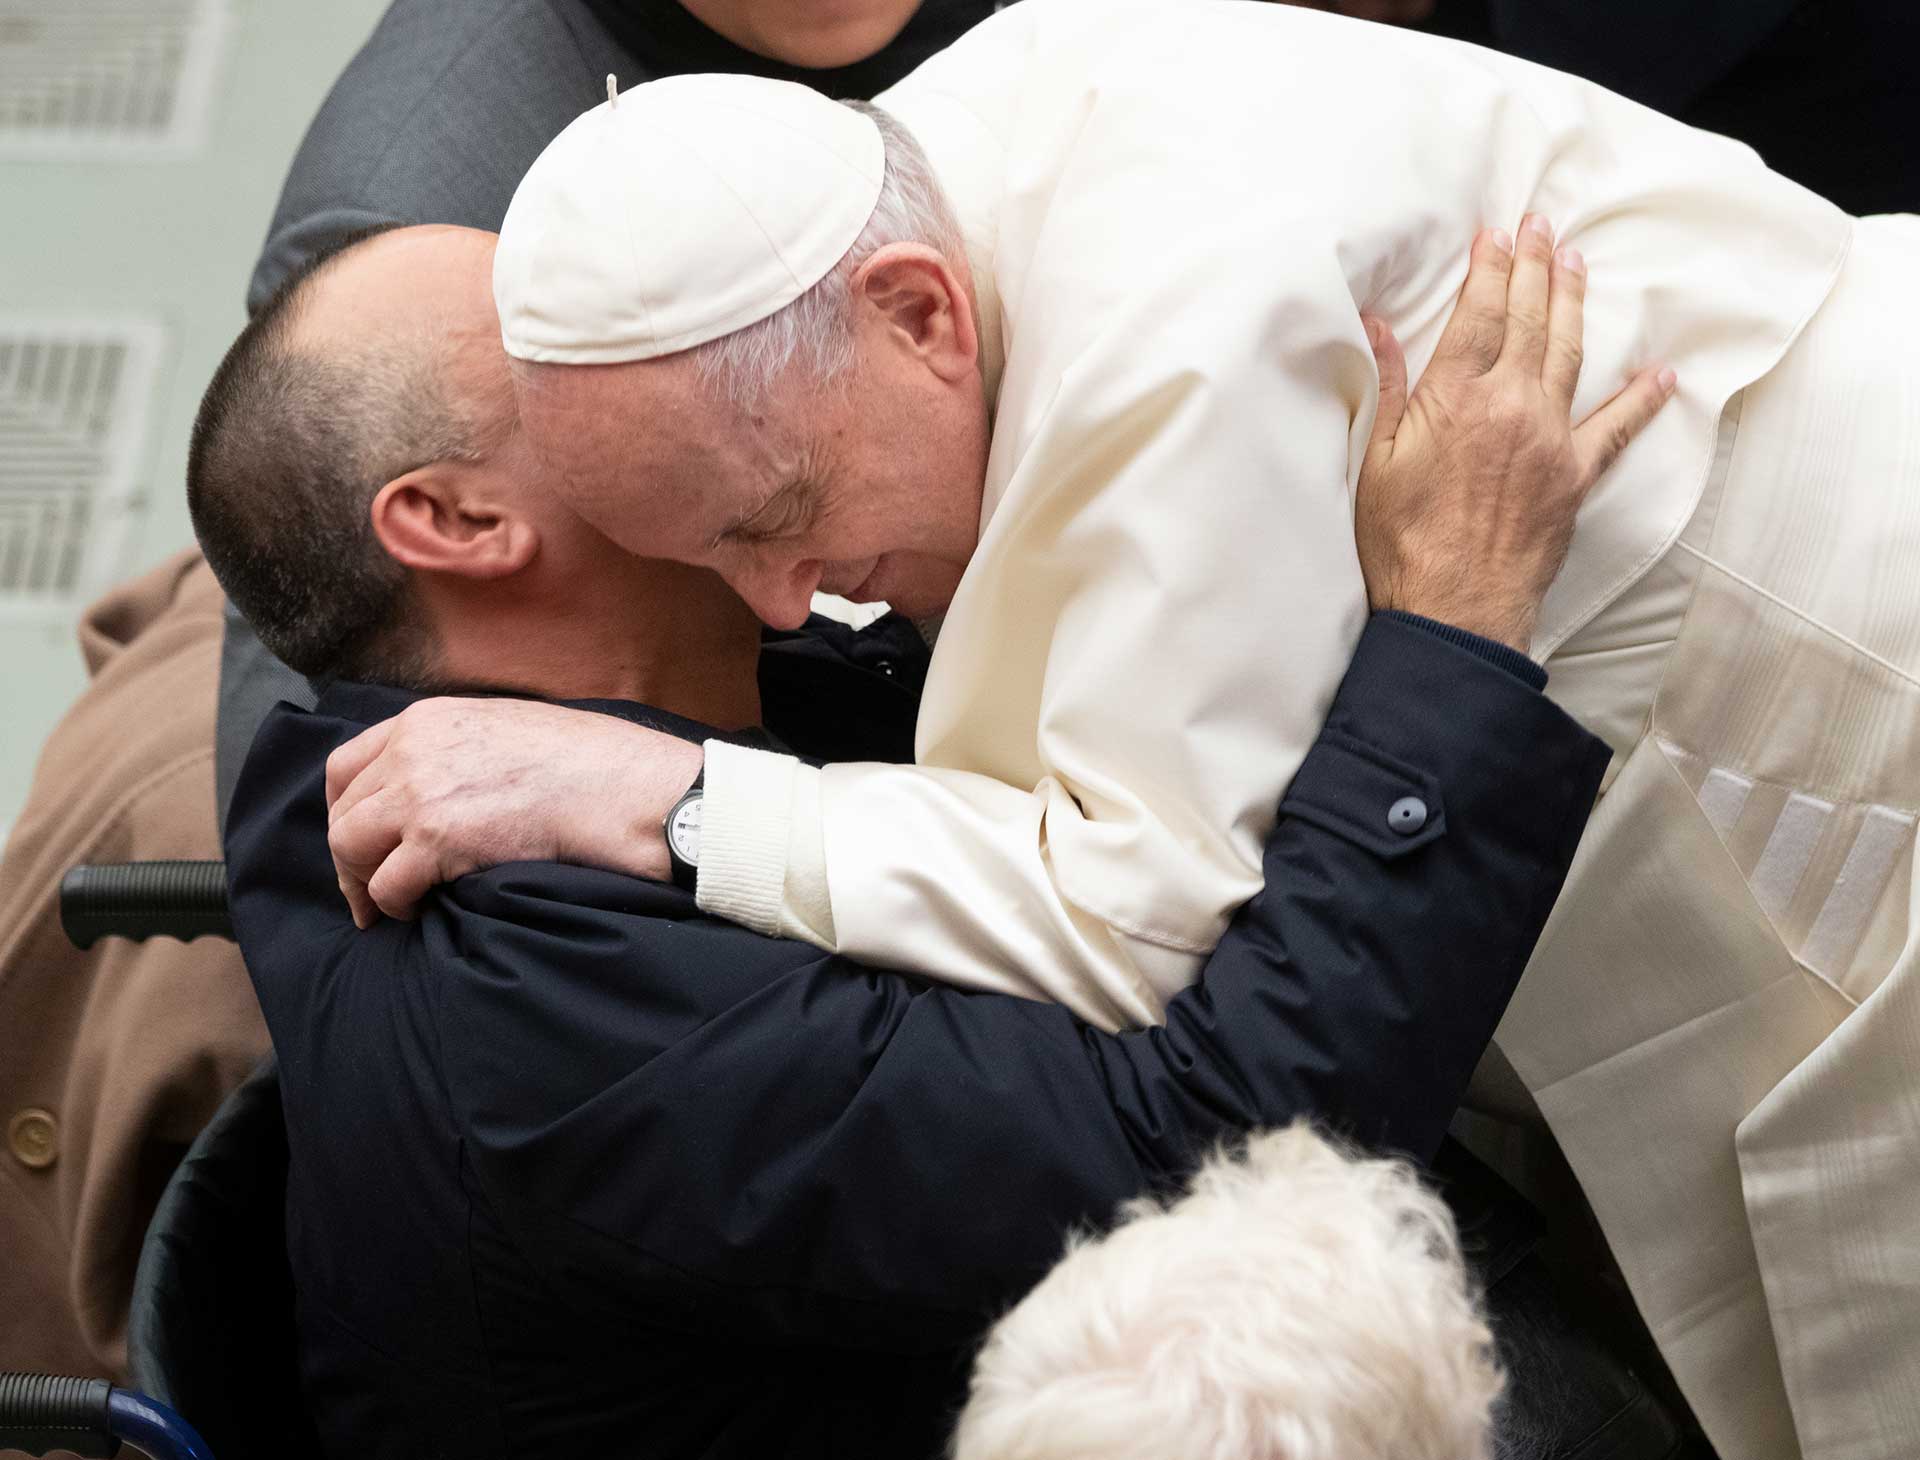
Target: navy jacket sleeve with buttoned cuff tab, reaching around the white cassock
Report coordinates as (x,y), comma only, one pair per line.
(844,1156)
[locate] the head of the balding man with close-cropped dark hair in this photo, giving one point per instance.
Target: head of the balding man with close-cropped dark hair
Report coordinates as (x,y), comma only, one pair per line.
(368,500)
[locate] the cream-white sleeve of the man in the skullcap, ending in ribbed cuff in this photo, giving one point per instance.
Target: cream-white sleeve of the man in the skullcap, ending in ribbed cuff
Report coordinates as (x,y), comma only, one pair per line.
(1145,646)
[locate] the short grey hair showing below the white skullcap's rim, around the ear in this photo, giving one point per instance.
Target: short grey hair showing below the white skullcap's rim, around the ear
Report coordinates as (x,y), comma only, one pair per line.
(815,333)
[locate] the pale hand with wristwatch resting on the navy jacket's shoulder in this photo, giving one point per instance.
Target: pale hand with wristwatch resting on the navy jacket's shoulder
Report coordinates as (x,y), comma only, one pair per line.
(452,787)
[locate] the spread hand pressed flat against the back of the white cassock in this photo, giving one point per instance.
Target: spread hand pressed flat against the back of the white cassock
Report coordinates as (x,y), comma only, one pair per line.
(1470,491)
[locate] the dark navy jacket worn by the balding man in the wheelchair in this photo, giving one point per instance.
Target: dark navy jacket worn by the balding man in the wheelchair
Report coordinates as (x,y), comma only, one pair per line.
(577,1171)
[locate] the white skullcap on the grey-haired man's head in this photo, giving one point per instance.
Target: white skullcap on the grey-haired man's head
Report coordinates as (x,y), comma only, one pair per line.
(681,212)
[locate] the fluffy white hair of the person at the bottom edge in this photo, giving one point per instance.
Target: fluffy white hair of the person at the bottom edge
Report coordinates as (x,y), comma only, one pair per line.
(1297,1303)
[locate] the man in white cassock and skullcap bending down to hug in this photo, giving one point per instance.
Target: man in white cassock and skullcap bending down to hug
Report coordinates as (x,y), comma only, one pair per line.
(1067,341)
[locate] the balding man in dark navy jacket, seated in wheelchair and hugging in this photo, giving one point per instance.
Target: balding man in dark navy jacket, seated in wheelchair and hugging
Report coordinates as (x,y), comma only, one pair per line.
(577,1169)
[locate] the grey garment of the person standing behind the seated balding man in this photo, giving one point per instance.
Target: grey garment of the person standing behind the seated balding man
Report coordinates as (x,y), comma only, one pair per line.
(435,122)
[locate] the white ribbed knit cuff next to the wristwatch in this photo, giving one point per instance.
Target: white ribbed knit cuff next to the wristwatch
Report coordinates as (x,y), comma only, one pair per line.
(746,821)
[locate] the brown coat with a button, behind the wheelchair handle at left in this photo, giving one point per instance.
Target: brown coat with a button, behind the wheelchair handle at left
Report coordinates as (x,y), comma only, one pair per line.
(116,1058)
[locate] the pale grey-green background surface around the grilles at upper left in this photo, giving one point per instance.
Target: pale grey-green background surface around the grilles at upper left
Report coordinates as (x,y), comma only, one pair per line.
(168,239)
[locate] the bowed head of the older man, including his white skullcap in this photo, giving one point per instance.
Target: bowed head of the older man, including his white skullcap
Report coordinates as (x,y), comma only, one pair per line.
(840,441)
